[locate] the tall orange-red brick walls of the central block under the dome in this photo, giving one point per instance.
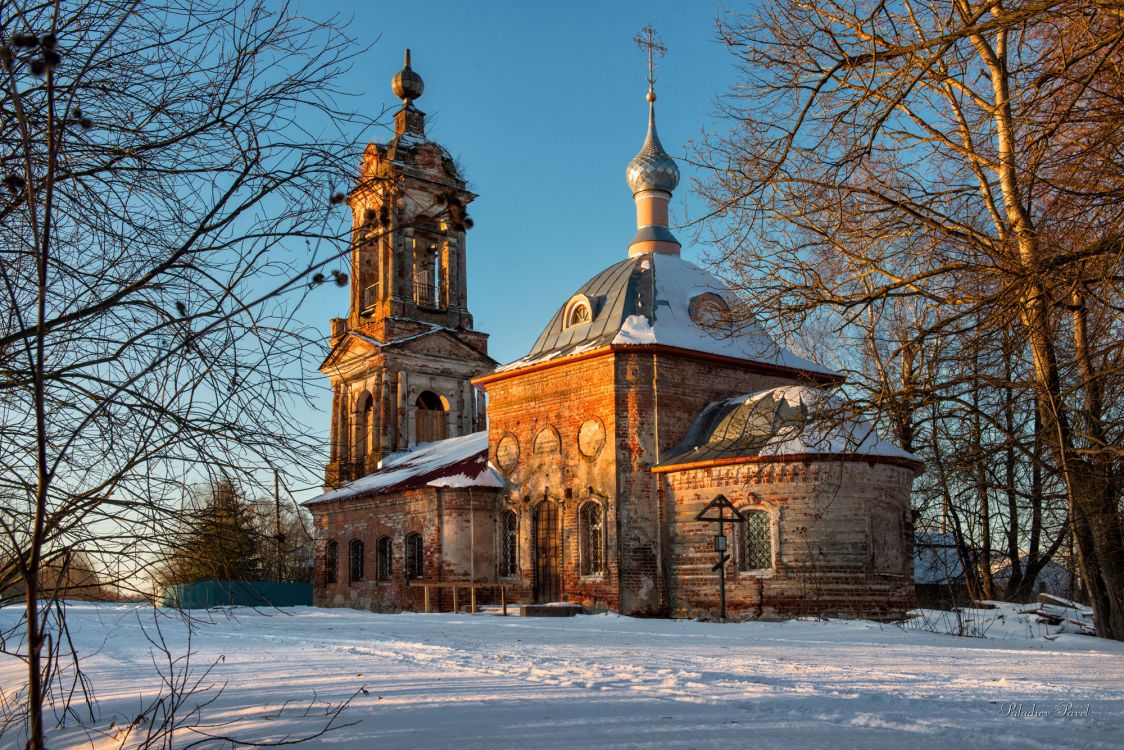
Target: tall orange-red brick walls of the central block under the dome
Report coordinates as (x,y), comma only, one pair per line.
(646,402)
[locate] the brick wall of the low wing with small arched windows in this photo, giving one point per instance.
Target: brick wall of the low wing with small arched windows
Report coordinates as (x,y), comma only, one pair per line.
(459,543)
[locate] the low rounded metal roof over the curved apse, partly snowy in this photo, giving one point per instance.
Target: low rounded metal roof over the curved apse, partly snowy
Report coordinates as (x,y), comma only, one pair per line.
(778,422)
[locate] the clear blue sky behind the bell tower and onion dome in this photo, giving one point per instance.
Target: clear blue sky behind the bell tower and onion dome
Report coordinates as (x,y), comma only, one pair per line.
(543,105)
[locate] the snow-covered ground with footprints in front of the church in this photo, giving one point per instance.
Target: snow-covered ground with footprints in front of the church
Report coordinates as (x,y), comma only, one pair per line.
(465,682)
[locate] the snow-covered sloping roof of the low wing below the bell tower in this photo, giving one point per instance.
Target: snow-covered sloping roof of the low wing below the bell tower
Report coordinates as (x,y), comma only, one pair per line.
(455,463)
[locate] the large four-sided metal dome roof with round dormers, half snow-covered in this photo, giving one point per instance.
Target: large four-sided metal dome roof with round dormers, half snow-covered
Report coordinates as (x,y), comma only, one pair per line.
(648,300)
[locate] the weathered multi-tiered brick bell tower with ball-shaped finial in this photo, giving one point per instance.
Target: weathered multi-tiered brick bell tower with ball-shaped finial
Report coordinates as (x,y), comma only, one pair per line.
(402,362)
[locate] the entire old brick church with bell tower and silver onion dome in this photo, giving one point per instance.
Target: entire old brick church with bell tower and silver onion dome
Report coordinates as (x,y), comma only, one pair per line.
(578,473)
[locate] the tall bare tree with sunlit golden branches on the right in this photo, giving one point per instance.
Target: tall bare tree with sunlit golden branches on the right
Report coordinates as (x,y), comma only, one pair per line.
(963,158)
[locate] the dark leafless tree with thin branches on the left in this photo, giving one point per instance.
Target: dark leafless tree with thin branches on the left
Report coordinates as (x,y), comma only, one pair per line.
(167,173)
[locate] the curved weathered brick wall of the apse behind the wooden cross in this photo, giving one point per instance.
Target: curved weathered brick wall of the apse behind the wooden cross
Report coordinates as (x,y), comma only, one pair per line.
(840,540)
